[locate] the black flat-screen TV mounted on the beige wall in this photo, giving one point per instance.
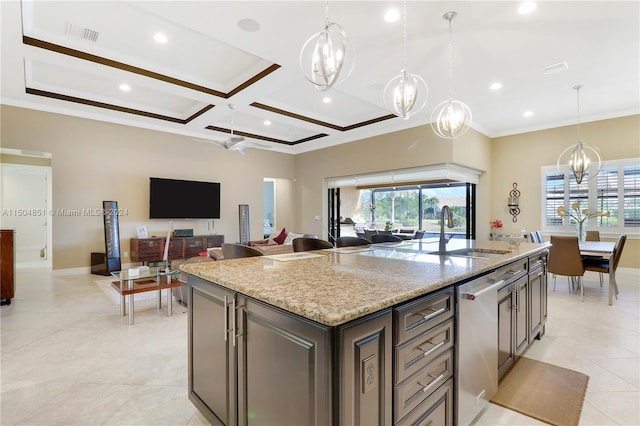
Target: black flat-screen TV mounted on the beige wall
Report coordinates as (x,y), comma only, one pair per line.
(183,199)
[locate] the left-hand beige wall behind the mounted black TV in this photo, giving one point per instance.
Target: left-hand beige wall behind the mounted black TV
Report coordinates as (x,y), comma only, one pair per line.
(95,161)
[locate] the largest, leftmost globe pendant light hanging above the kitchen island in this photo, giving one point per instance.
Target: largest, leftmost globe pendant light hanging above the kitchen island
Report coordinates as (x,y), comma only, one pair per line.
(328,56)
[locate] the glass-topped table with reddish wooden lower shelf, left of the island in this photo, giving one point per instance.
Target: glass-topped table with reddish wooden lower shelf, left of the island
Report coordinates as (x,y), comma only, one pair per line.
(155,279)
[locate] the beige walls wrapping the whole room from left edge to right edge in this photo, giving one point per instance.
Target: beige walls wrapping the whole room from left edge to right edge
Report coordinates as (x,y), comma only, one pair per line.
(94,161)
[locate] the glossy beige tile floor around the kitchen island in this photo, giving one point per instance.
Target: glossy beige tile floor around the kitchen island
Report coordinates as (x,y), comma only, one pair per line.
(68,358)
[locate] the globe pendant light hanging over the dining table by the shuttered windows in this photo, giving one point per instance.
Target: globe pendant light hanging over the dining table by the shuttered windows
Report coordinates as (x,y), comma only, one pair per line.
(579,158)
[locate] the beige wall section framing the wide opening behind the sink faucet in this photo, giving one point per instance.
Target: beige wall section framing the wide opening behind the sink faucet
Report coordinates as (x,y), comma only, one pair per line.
(409,148)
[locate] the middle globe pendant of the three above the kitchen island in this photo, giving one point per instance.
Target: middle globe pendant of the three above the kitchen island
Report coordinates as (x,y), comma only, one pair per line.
(405,94)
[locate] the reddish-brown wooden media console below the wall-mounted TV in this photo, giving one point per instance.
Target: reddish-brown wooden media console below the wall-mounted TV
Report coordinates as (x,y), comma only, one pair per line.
(152,249)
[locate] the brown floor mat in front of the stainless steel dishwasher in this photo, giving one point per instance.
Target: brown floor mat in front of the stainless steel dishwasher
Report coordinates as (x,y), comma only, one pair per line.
(543,391)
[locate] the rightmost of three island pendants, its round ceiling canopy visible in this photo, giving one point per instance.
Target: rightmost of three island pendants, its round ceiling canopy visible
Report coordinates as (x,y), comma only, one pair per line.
(451,118)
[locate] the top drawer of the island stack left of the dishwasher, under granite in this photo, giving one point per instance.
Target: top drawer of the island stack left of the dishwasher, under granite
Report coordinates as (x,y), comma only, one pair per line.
(414,318)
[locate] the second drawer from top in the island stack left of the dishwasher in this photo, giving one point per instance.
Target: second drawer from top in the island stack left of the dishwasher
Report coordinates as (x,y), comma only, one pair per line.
(420,351)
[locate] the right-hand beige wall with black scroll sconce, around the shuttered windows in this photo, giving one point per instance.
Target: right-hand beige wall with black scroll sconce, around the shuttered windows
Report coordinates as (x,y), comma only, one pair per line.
(518,158)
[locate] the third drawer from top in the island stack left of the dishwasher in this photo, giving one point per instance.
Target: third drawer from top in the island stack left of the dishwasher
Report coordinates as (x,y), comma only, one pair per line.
(415,389)
